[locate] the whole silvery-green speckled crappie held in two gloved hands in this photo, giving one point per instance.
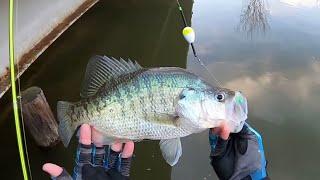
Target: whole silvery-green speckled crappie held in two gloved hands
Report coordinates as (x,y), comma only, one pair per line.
(125,102)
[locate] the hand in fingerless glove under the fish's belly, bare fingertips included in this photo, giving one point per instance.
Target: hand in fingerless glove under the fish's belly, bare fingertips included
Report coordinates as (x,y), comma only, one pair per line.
(92,162)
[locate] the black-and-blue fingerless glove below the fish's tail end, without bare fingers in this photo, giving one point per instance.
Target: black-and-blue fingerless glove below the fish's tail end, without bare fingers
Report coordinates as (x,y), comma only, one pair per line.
(99,163)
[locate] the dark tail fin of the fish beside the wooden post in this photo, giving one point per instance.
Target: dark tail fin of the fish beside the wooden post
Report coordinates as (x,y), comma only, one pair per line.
(66,128)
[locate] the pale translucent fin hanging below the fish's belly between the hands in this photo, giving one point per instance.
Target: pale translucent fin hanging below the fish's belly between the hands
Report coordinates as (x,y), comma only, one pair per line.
(171,150)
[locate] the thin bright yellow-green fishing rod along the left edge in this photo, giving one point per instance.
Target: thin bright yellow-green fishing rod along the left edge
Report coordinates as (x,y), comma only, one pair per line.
(14,93)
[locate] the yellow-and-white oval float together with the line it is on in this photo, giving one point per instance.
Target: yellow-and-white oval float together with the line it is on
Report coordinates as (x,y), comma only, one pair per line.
(189,35)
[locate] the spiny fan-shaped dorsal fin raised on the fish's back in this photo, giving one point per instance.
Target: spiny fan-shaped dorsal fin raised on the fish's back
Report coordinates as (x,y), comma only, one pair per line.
(101,69)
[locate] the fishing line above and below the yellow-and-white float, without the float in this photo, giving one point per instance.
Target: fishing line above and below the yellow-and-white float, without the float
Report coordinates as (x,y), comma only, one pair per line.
(193,48)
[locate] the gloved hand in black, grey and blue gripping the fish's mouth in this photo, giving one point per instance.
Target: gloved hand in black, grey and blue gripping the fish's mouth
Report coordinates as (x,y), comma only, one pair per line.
(240,157)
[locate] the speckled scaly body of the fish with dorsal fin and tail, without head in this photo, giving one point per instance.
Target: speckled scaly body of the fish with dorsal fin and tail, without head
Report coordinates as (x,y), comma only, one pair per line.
(125,101)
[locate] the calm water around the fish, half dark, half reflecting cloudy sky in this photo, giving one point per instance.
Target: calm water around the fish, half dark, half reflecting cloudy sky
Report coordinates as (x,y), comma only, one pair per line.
(274,60)
